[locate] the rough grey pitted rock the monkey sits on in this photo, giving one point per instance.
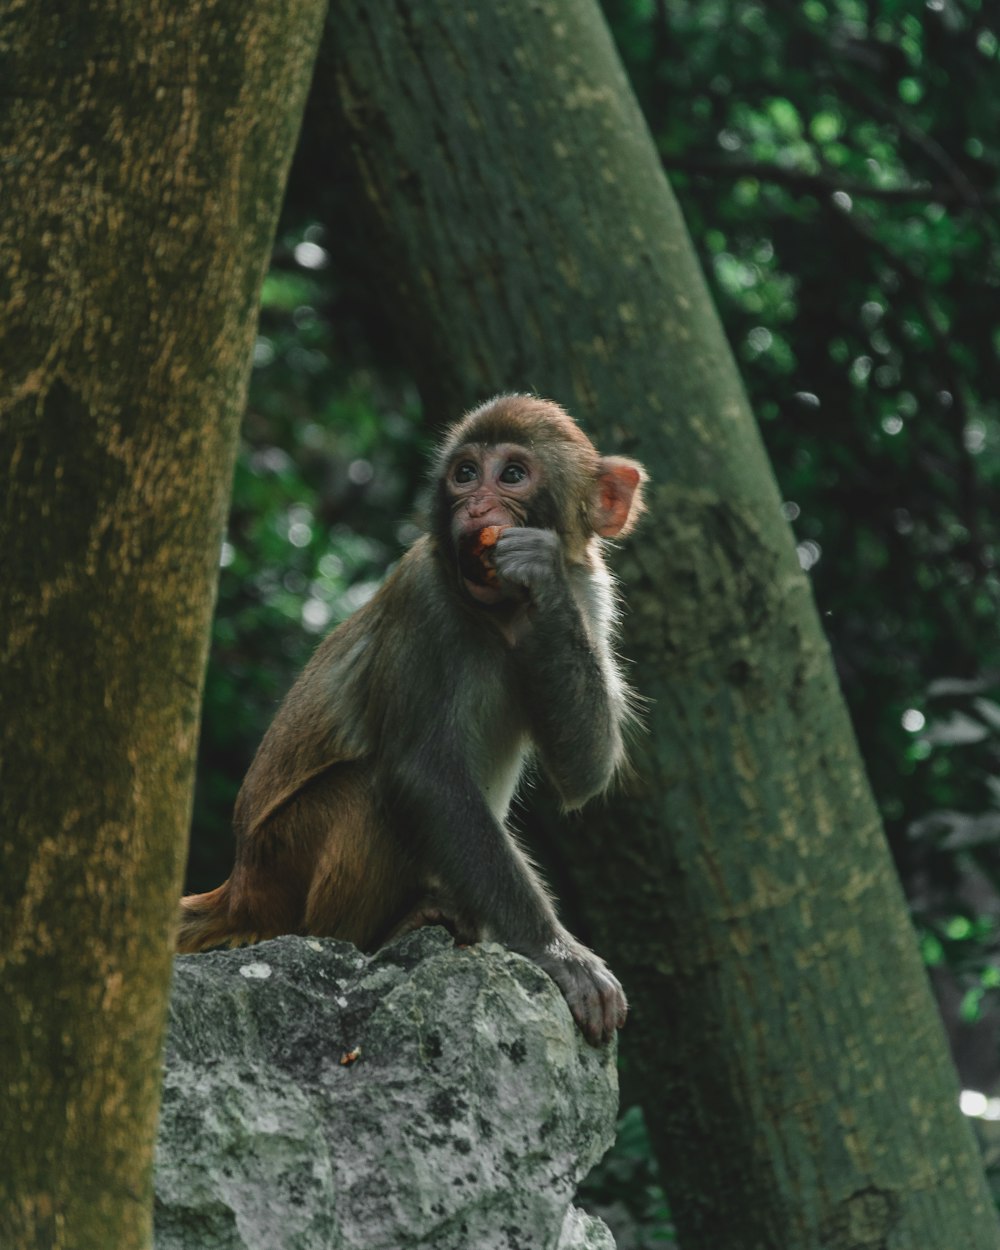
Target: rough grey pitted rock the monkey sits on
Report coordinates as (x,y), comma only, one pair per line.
(467,1119)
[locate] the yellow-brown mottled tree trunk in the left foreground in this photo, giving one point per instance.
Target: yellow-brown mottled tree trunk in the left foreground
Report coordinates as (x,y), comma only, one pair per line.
(144,151)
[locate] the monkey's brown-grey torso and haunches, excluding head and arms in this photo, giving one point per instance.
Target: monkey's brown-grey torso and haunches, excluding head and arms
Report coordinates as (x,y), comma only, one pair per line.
(319,848)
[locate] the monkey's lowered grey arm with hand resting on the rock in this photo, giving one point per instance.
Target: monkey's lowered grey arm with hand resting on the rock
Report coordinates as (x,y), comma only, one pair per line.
(437,802)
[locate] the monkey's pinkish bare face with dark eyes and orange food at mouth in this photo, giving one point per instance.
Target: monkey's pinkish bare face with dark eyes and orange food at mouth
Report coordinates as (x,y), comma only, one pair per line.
(489,489)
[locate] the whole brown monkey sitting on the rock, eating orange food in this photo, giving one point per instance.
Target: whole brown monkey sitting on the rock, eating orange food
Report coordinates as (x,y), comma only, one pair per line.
(379,797)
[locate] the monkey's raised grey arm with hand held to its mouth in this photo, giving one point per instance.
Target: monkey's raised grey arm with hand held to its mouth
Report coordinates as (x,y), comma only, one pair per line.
(576,698)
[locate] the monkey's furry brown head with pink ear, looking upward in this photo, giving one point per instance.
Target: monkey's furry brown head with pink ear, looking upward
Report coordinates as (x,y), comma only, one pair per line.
(522,461)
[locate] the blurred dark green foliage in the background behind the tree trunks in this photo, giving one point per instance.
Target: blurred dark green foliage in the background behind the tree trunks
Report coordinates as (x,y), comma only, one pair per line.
(837,162)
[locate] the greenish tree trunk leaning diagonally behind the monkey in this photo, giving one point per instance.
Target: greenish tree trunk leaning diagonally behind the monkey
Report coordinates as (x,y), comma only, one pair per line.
(796,1076)
